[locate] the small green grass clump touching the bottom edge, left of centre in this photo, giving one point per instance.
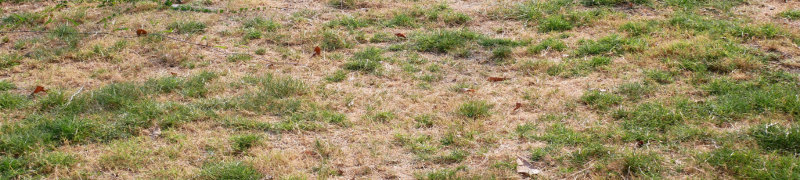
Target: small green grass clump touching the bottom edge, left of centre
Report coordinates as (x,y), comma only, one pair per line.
(229,170)
